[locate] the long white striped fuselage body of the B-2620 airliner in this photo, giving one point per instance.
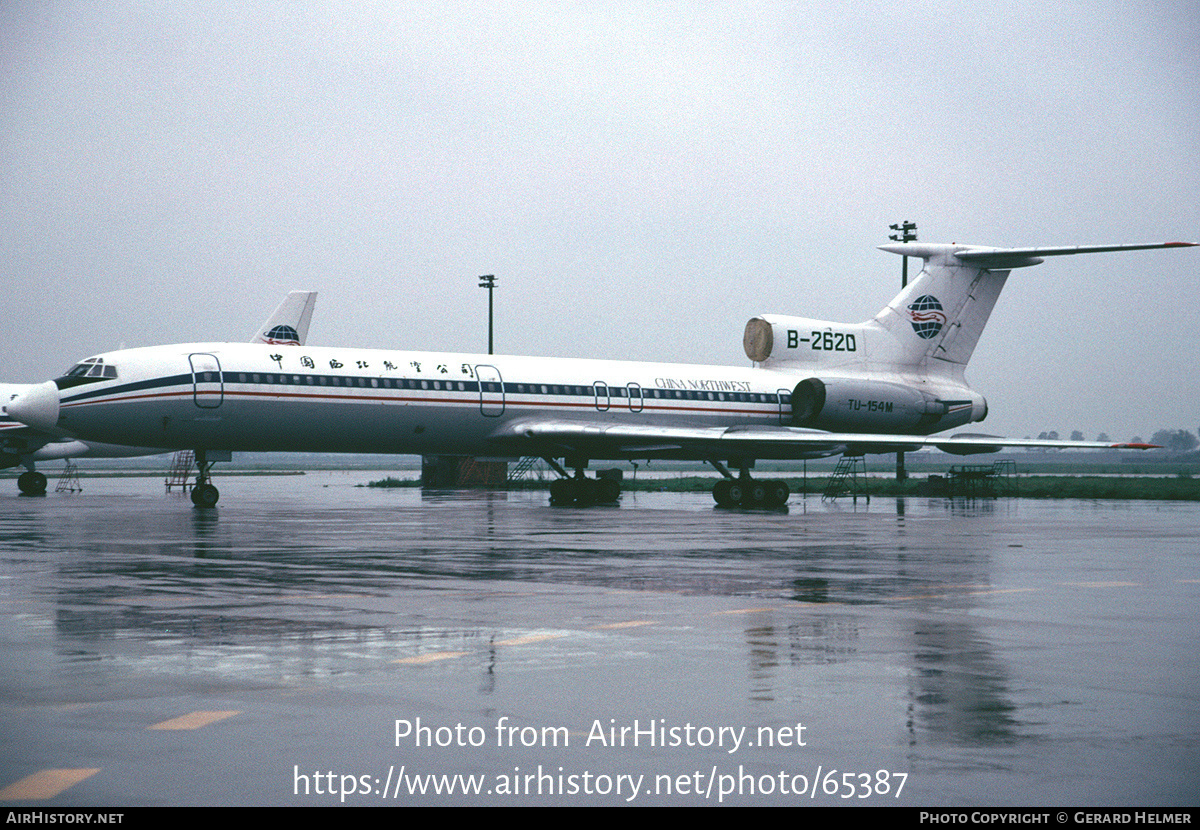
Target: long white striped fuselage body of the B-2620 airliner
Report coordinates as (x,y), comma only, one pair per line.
(244,398)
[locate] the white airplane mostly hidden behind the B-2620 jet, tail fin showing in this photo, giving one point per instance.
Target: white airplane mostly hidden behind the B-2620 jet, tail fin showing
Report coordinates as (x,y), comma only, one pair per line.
(22,446)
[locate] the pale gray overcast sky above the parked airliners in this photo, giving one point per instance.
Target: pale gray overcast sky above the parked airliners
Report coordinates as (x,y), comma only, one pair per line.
(641,177)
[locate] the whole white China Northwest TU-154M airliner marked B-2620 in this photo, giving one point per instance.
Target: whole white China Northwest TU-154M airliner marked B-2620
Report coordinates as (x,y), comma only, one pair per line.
(817,389)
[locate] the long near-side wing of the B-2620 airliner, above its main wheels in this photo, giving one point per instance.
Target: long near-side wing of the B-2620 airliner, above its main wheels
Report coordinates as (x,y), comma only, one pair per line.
(598,440)
